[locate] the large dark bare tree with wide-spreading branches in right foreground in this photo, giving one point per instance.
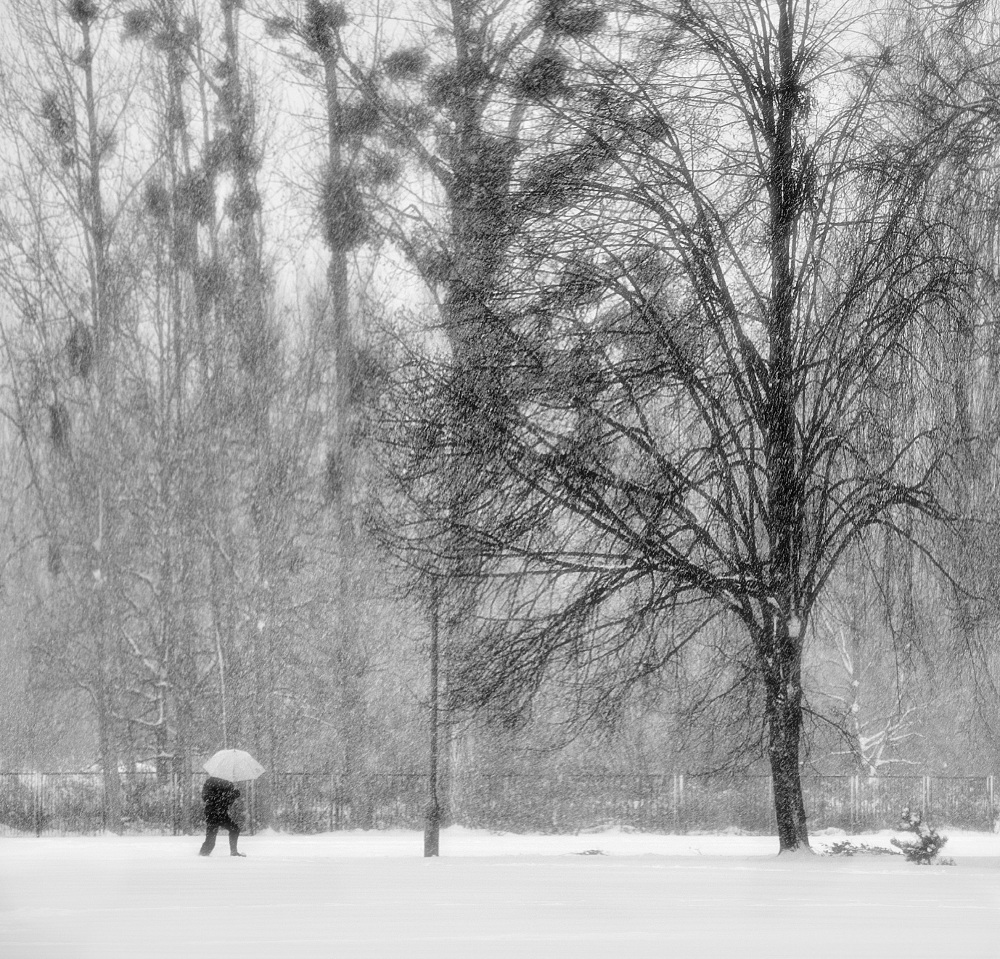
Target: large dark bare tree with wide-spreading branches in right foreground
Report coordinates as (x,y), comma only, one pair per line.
(727,247)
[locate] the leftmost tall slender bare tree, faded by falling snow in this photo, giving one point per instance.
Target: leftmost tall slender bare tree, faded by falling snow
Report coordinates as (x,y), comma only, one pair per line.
(65,279)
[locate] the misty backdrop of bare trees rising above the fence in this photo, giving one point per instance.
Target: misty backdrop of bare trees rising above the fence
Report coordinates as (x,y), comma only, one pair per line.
(571,365)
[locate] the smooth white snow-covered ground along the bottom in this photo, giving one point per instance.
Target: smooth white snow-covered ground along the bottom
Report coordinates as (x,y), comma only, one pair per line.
(363,895)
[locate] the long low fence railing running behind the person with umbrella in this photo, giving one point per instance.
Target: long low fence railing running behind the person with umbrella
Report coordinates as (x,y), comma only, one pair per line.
(75,803)
